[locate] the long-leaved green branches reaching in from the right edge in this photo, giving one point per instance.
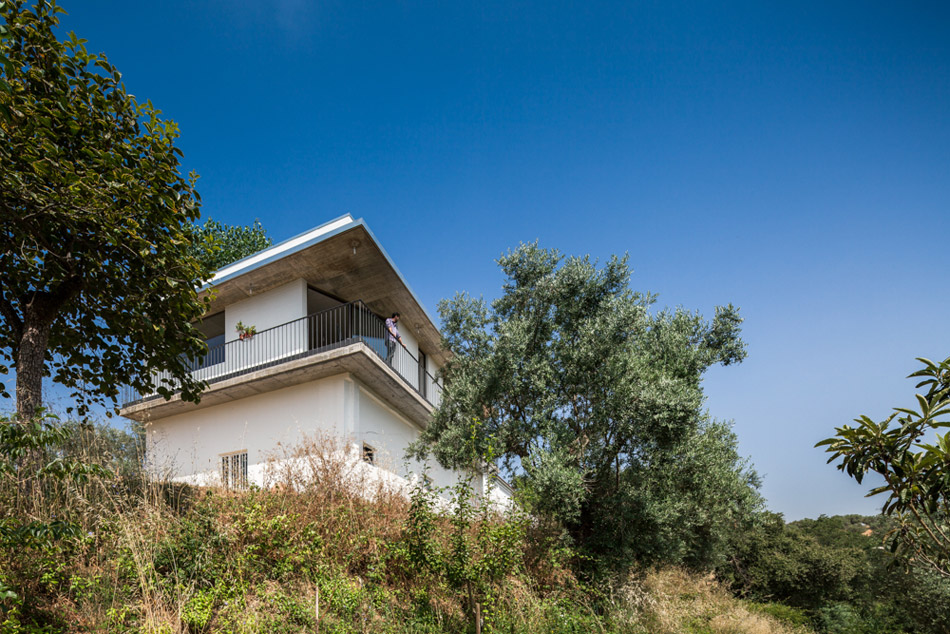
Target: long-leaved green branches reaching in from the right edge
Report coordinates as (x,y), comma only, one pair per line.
(908,452)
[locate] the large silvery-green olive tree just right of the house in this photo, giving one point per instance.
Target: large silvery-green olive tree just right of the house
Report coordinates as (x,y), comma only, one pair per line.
(581,392)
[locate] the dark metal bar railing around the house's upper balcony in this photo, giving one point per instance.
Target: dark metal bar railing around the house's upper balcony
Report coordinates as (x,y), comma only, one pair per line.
(332,328)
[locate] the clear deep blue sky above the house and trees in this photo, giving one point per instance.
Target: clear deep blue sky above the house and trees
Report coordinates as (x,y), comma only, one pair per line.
(792,160)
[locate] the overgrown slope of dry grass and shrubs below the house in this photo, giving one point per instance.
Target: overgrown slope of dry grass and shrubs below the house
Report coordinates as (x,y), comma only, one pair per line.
(150,558)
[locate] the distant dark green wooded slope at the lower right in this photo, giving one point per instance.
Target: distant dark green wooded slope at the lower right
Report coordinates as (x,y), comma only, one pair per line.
(836,570)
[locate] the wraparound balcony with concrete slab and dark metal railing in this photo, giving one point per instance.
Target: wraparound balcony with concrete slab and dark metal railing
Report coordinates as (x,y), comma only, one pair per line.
(346,338)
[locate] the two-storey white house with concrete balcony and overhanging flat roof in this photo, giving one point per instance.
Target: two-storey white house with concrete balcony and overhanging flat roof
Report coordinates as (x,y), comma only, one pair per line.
(297,347)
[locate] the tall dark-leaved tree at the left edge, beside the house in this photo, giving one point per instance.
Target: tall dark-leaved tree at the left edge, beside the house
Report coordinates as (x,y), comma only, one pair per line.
(98,276)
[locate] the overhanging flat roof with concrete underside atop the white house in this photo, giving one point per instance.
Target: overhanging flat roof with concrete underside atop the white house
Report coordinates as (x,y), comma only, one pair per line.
(342,259)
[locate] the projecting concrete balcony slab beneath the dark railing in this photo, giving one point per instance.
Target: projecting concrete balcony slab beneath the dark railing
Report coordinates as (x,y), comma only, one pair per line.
(357,359)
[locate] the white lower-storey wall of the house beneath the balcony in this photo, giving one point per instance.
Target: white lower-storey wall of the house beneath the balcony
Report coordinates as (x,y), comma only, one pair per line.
(188,447)
